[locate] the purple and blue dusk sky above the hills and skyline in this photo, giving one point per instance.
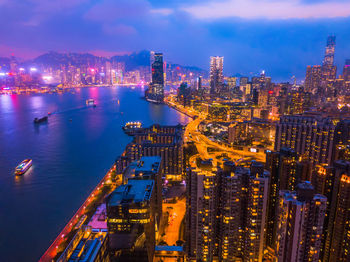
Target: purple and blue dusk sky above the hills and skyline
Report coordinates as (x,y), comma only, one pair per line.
(281,37)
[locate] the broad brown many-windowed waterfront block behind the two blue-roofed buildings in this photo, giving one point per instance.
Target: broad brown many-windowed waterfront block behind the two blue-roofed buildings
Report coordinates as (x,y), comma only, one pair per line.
(163,141)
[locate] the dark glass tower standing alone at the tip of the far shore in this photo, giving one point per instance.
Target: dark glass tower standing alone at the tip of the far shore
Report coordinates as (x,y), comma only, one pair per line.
(155,92)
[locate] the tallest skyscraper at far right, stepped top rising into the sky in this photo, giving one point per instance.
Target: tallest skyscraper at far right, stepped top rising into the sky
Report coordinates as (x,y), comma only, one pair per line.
(329,70)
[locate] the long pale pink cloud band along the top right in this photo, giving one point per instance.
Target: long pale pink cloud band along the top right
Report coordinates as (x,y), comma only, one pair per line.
(270,9)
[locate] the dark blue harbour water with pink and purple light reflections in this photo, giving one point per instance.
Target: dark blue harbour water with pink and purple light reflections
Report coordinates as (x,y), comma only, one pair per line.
(71,153)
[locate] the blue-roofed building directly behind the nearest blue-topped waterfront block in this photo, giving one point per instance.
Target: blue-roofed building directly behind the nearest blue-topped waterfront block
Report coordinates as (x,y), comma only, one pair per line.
(148,168)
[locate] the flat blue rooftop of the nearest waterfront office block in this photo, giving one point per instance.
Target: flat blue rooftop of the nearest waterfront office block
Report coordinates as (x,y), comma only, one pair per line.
(135,191)
